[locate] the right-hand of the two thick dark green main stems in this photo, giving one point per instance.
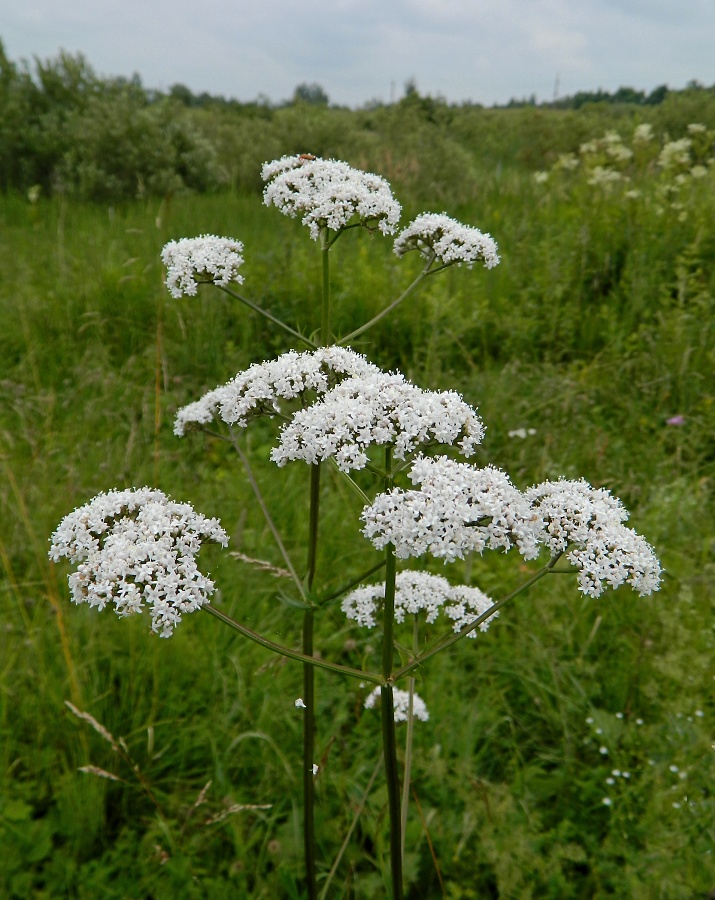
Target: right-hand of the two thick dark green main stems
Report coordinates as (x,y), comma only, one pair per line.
(387,707)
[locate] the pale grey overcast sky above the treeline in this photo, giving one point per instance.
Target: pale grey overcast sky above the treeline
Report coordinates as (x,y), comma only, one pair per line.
(360,50)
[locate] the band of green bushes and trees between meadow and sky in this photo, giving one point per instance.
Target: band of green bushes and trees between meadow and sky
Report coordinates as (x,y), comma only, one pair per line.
(64,129)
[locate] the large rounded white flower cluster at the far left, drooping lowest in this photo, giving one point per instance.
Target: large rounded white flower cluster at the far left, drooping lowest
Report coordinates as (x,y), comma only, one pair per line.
(137,547)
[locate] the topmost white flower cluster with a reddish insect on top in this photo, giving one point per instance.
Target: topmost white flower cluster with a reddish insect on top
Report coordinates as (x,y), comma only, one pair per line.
(329,193)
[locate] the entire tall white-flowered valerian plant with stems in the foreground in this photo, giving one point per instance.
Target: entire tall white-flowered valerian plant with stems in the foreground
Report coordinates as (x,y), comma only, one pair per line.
(137,548)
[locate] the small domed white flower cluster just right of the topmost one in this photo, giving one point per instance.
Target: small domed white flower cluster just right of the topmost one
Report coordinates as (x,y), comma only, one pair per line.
(449,240)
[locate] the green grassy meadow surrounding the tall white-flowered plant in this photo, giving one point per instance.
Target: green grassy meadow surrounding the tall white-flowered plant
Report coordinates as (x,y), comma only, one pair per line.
(595,336)
